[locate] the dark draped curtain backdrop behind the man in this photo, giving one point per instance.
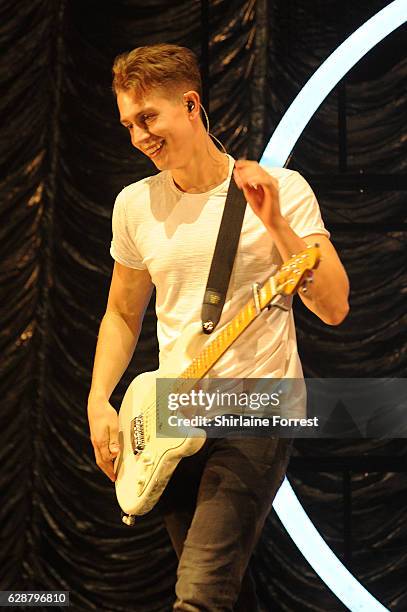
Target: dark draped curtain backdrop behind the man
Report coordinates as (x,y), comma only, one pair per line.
(63,158)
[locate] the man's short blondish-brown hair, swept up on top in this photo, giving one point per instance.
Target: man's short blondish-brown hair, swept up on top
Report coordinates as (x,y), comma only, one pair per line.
(163,66)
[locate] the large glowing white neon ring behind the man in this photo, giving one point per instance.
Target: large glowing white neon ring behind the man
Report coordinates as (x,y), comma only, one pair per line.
(286,504)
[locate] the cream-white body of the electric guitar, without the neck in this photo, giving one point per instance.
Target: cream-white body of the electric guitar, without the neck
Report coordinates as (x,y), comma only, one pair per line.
(142,477)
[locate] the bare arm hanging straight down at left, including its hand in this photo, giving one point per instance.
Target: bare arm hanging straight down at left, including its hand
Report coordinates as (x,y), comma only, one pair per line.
(129,294)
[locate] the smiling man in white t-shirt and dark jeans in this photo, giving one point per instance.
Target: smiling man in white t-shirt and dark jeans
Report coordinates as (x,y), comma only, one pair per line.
(164,231)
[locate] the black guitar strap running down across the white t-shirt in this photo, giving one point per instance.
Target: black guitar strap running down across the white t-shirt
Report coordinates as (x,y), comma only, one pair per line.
(223,257)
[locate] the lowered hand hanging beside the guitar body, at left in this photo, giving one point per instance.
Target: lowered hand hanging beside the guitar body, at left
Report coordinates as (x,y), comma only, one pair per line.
(104,434)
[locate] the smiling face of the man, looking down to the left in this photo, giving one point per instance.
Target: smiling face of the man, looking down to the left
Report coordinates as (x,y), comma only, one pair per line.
(159,126)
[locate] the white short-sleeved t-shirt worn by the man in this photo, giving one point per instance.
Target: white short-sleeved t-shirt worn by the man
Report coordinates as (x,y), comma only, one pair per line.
(172,234)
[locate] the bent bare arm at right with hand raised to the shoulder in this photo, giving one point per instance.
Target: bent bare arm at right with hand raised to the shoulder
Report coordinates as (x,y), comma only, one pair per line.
(327,296)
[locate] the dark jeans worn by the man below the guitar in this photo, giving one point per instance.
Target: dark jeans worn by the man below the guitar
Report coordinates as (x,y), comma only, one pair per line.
(214,508)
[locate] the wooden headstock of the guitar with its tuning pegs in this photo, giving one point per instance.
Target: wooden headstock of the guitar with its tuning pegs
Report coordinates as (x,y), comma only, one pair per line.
(292,272)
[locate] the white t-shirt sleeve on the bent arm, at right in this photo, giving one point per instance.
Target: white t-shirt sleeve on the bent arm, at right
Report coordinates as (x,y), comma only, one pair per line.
(300,207)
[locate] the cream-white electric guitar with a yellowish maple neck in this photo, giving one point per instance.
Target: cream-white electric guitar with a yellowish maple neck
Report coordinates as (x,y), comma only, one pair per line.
(146,461)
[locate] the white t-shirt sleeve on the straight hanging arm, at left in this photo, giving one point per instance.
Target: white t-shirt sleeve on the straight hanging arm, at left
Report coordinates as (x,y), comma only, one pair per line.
(123,248)
